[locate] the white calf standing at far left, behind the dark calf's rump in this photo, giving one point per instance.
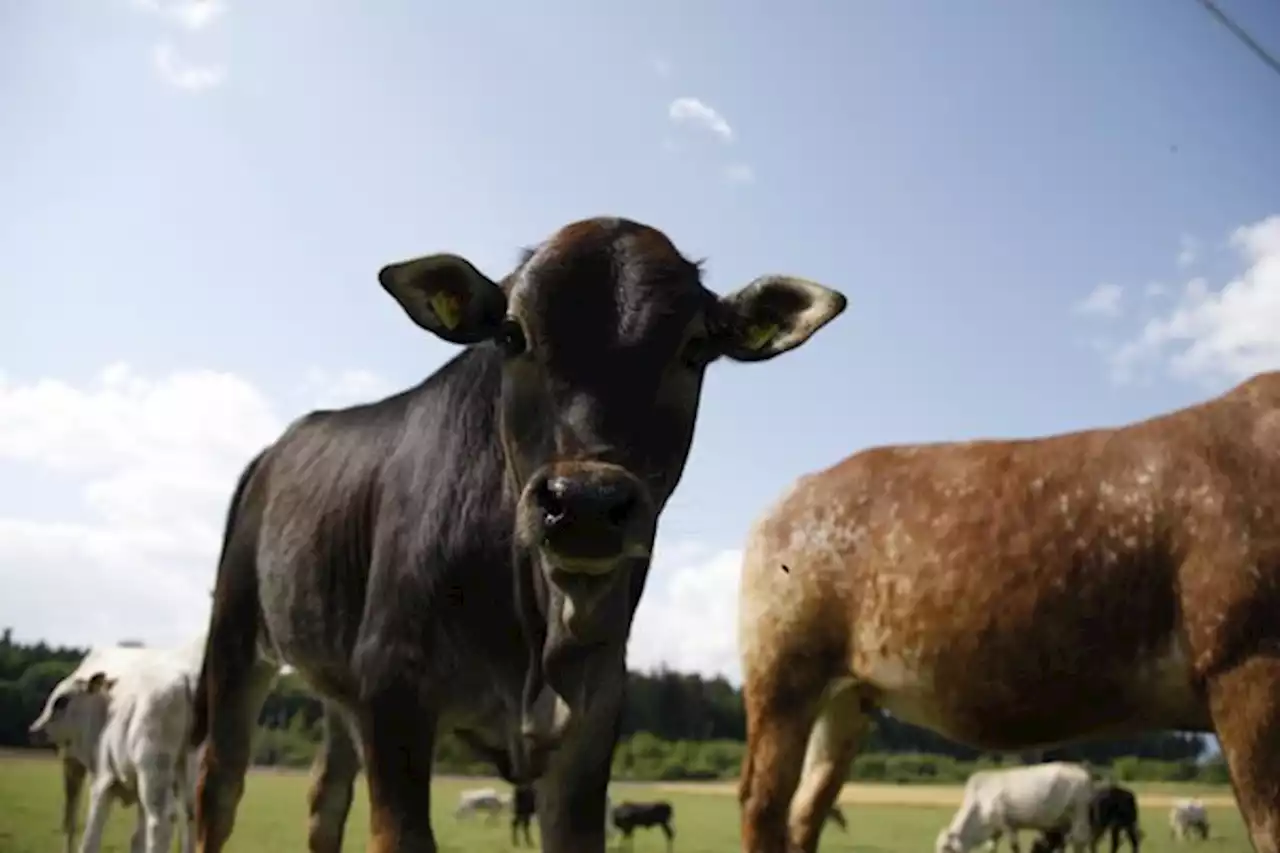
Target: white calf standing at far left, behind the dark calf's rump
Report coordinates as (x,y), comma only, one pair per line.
(124,719)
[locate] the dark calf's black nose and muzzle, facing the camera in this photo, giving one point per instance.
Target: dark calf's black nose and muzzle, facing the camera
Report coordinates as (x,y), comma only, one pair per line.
(588,517)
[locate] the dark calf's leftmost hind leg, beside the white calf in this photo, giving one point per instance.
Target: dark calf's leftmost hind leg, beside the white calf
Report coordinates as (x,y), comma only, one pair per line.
(236,699)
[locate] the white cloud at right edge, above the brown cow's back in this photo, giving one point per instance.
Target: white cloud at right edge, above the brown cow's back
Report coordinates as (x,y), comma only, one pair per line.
(1219,335)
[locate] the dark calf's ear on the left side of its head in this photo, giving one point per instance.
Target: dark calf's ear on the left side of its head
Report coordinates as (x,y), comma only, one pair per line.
(447,297)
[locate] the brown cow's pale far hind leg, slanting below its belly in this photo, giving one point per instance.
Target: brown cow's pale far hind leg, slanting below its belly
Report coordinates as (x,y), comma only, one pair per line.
(833,743)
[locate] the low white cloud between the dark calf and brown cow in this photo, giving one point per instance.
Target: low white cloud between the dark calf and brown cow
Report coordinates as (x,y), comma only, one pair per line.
(688,618)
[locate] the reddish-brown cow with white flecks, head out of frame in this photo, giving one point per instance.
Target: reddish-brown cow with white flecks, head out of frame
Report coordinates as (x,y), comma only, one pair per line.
(1014,595)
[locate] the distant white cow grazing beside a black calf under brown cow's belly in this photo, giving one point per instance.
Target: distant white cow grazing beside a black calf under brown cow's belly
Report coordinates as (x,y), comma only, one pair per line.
(1041,797)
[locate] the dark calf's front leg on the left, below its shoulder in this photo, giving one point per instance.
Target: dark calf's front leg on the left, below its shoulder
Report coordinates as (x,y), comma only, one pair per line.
(399,736)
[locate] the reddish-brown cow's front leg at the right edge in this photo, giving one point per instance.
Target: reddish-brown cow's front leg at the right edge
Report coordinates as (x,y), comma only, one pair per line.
(1246,708)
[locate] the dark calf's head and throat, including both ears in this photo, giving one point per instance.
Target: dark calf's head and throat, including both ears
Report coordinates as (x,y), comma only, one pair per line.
(605,334)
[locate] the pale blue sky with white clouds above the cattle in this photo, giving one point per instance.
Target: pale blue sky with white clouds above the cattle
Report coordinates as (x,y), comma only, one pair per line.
(1013,197)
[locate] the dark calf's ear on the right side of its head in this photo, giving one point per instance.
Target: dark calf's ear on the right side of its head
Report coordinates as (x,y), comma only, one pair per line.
(774,314)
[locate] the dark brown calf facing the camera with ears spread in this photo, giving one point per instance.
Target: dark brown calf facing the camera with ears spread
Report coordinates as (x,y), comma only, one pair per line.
(483,537)
